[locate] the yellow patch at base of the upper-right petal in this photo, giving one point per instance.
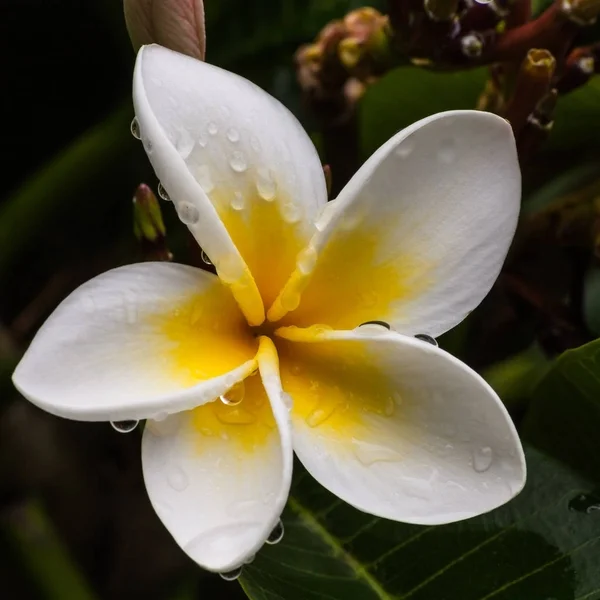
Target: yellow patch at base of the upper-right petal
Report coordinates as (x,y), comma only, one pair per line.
(351,285)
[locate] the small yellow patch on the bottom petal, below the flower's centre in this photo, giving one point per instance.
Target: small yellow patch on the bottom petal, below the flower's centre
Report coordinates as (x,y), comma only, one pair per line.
(248,425)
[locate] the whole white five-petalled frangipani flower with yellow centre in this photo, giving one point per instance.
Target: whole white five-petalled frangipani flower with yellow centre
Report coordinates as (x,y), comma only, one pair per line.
(236,372)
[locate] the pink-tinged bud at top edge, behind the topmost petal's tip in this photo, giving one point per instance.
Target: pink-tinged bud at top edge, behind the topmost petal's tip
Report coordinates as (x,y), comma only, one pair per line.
(174,24)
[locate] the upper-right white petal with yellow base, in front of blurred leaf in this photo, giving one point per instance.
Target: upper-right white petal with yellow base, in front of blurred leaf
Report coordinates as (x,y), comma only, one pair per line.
(419,235)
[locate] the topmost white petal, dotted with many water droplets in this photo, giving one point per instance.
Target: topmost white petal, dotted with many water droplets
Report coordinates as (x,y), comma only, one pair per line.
(236,156)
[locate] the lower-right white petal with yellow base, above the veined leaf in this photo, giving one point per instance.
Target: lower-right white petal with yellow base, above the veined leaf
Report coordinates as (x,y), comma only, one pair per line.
(397,427)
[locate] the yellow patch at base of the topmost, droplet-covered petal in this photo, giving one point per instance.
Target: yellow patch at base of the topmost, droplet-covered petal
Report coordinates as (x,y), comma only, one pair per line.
(266,241)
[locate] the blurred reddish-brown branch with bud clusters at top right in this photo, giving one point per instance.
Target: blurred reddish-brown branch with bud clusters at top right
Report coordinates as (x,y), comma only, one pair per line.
(532,61)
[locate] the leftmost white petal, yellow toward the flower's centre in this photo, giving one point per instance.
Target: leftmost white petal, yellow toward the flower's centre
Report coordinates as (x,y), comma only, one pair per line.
(135,342)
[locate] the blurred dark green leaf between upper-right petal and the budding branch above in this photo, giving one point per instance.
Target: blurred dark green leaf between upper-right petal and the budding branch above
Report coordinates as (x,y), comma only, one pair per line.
(408,94)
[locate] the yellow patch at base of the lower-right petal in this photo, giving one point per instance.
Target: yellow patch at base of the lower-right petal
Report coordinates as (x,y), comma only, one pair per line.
(336,386)
